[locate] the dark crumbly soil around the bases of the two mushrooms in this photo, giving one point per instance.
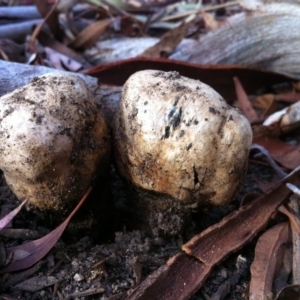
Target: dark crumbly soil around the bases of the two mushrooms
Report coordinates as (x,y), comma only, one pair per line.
(105,257)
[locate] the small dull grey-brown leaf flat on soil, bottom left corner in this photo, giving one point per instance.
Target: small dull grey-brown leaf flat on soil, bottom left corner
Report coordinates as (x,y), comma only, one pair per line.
(36,283)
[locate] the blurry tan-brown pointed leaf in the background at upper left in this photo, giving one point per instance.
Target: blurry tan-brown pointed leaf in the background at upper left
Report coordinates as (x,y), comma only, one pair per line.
(88,36)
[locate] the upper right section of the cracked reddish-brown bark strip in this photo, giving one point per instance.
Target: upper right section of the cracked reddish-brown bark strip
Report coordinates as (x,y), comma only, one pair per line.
(238,227)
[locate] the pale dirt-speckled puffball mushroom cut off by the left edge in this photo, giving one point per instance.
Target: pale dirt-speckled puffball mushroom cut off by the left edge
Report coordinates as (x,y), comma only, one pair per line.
(54,140)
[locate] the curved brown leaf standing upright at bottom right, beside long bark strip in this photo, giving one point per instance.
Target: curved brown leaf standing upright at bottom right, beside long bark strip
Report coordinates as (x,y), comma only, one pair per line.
(264,264)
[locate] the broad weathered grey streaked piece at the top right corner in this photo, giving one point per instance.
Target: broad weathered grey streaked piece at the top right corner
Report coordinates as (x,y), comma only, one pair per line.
(266,38)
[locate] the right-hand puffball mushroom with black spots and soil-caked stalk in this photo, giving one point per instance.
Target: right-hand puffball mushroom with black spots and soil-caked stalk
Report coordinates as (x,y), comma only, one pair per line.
(180,145)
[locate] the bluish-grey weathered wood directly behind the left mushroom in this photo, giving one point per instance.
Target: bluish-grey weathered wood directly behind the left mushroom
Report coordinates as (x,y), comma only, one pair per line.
(15,75)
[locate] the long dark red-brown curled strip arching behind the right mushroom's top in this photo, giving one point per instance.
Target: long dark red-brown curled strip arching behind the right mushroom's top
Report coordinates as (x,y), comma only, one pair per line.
(218,77)
